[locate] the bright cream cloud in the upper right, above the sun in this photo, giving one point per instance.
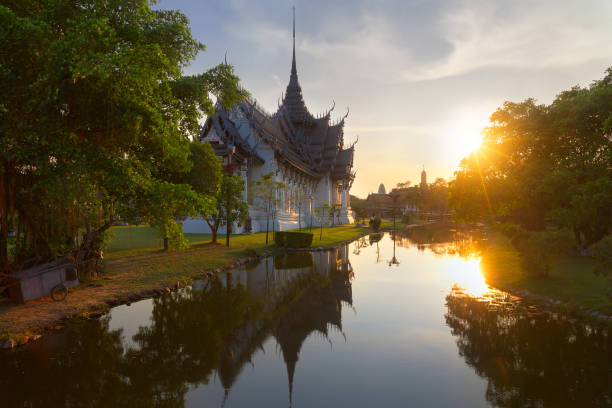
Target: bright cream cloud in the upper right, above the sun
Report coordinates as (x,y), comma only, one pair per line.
(531,35)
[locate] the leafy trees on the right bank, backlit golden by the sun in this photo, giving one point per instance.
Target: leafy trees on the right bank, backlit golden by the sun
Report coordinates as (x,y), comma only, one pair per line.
(544,164)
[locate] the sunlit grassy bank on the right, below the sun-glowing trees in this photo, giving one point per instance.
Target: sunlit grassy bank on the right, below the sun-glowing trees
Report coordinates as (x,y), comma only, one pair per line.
(571,277)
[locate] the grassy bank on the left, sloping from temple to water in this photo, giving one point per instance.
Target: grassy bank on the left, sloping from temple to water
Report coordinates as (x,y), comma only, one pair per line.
(131,275)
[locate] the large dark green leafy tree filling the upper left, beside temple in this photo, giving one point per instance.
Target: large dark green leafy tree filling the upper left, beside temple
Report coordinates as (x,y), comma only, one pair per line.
(95,120)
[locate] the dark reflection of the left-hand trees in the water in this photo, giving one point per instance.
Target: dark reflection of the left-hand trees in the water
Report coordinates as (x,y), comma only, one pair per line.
(88,365)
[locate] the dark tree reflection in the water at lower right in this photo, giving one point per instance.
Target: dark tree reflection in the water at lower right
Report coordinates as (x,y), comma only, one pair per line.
(532,359)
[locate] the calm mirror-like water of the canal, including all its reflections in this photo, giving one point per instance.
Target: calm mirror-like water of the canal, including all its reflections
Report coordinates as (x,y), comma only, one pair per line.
(355,327)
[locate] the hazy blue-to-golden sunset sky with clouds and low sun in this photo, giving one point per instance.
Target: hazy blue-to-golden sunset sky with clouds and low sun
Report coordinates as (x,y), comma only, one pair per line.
(420,77)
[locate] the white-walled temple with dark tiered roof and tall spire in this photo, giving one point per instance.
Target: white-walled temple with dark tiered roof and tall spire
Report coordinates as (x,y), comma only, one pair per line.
(305,152)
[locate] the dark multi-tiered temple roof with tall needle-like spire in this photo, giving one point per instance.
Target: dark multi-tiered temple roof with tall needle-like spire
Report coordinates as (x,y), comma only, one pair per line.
(312,144)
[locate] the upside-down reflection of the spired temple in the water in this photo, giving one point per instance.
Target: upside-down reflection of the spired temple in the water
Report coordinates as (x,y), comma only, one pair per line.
(301,294)
